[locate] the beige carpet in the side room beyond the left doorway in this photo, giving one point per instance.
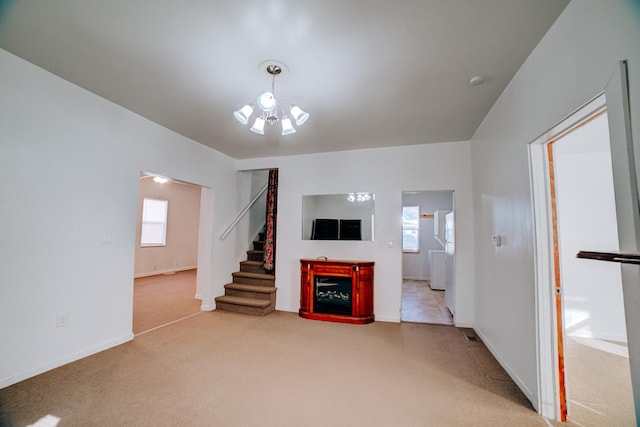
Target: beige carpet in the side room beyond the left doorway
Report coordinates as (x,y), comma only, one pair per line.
(161,299)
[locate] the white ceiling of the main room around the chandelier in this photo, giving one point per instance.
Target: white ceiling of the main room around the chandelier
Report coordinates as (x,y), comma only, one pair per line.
(372,73)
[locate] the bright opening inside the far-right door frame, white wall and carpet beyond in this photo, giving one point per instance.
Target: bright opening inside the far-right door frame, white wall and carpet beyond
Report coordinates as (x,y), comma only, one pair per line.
(594,330)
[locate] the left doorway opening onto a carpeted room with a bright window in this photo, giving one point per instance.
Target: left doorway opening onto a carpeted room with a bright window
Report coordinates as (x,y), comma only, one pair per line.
(166,255)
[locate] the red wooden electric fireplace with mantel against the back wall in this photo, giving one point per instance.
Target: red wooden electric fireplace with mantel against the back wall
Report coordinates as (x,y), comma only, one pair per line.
(336,290)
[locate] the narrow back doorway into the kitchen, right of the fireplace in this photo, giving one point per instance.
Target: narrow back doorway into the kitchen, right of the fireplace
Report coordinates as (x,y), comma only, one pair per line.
(427,258)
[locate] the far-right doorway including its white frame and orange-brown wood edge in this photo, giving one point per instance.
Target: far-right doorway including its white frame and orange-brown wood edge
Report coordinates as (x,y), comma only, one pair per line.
(576,320)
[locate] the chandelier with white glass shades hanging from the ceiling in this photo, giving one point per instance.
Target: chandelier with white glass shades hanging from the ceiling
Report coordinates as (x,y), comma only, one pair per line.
(270,110)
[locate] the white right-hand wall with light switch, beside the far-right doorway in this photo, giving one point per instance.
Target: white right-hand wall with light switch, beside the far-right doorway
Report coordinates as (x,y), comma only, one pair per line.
(571,65)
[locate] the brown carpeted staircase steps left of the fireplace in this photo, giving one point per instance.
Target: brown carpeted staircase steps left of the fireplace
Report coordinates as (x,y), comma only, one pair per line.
(253,290)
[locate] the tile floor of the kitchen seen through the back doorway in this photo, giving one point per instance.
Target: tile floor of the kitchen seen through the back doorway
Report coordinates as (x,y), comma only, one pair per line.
(421,304)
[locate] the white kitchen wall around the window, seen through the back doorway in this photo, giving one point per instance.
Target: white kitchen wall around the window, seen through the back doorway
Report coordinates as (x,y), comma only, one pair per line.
(417,266)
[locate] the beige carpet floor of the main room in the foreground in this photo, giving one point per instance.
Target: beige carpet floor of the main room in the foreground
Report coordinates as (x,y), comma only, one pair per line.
(226,369)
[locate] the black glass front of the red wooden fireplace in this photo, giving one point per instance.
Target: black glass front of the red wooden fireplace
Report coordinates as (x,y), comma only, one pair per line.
(332,295)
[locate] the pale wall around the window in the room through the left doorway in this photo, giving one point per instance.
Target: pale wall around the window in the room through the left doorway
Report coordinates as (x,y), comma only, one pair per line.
(183,217)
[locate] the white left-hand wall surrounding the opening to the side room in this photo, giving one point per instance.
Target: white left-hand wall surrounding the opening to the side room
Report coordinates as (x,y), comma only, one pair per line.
(69,170)
